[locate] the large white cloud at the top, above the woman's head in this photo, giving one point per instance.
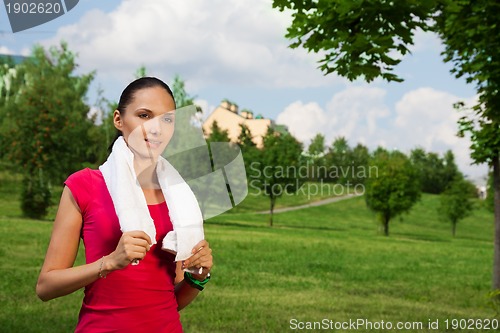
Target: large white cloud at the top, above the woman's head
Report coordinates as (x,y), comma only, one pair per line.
(230,41)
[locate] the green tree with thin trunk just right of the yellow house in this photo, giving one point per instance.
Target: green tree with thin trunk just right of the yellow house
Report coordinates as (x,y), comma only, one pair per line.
(276,171)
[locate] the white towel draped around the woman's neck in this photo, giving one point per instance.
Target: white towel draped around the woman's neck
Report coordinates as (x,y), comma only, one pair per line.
(131,207)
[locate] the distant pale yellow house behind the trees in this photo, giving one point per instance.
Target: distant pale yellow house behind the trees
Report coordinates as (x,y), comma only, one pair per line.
(228,118)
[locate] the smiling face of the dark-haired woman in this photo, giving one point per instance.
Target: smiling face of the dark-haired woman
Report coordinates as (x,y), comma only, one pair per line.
(148,122)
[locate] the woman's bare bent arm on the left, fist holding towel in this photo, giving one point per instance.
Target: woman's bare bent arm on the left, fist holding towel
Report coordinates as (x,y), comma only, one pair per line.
(58,277)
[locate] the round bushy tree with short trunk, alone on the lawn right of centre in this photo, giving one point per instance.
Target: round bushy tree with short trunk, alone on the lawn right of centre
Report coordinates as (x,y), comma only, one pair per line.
(394,189)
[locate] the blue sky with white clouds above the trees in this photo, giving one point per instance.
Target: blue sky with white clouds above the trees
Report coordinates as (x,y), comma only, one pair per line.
(236,49)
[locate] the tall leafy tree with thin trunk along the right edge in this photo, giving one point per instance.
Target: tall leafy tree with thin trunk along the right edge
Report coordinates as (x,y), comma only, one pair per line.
(471,35)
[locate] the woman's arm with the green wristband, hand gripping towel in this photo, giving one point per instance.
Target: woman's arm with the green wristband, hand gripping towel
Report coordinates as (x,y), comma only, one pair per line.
(202,257)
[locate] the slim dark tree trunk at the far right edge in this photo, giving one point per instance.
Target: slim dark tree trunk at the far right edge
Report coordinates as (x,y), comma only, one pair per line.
(496,198)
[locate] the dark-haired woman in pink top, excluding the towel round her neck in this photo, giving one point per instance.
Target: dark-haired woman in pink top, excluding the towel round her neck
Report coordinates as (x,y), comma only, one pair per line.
(120,295)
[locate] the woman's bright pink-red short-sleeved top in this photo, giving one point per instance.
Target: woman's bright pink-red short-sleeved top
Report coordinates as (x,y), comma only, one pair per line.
(134,299)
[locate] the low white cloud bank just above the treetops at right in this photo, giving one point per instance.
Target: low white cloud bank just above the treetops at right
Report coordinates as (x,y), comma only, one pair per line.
(422,117)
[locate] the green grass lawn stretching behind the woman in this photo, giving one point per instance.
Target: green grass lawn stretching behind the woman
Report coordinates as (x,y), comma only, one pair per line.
(327,262)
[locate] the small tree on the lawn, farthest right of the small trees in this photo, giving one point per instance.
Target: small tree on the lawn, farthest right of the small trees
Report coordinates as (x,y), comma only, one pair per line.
(455,202)
